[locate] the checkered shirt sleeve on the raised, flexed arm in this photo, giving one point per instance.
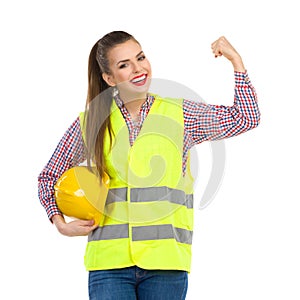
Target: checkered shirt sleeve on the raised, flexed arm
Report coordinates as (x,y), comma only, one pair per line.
(214,122)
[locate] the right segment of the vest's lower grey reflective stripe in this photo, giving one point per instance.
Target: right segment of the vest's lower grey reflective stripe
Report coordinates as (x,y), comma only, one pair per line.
(158,232)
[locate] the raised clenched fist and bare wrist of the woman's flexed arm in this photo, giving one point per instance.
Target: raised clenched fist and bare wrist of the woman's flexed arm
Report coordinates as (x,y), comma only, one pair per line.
(222,47)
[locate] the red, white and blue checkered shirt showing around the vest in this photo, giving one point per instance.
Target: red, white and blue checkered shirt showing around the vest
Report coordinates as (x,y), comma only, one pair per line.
(202,122)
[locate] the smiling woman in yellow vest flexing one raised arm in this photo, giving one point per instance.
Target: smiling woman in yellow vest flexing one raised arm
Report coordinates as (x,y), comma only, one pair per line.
(142,248)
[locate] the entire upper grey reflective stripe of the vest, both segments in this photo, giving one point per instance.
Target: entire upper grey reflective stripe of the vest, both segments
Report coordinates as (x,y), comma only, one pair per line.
(160,193)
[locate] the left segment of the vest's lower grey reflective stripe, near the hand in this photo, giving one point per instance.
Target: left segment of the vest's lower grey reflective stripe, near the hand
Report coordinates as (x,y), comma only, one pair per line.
(110,232)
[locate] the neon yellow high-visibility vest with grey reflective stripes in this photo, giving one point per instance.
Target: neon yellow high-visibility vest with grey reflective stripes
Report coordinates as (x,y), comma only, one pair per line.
(149,208)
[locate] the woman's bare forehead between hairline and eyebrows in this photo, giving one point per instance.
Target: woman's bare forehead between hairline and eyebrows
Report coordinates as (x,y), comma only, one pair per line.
(124,51)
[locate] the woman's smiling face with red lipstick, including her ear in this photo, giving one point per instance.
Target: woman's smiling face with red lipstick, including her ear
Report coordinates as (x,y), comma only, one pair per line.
(130,70)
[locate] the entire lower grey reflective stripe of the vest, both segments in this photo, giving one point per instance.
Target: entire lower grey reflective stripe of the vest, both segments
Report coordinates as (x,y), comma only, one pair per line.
(142,233)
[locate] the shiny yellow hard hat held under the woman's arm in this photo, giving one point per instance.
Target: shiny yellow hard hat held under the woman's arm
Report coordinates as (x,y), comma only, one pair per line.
(79,194)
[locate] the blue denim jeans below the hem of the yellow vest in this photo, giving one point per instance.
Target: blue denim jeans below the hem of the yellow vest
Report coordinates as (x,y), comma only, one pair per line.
(135,283)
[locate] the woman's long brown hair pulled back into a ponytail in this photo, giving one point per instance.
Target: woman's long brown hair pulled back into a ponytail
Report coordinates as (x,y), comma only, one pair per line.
(99,99)
